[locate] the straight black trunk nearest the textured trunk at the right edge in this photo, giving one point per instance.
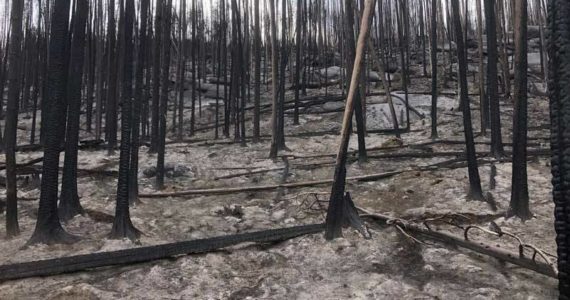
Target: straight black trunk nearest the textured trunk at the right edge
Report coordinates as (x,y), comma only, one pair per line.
(519,205)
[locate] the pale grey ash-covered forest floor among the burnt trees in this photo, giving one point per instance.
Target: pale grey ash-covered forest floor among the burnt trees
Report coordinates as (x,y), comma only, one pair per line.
(389,266)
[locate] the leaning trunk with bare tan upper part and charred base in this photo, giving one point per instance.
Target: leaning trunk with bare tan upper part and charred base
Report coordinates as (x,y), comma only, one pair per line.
(335,213)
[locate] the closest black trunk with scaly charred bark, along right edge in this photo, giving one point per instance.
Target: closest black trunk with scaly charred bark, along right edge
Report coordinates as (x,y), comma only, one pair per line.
(559,94)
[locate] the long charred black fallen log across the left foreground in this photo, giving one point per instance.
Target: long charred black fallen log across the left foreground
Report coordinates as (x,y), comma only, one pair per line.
(50,267)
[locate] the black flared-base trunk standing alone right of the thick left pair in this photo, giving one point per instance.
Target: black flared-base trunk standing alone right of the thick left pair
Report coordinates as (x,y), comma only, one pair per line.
(122,225)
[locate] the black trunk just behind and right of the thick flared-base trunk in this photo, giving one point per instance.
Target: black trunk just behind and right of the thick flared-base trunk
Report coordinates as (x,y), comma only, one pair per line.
(69,205)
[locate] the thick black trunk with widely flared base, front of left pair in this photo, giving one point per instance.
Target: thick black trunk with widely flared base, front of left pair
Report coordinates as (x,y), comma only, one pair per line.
(48,228)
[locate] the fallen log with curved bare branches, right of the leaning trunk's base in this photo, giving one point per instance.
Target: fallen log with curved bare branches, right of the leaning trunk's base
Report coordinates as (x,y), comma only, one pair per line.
(478,247)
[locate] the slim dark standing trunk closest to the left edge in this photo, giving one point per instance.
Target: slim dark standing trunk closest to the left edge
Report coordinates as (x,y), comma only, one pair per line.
(14,77)
